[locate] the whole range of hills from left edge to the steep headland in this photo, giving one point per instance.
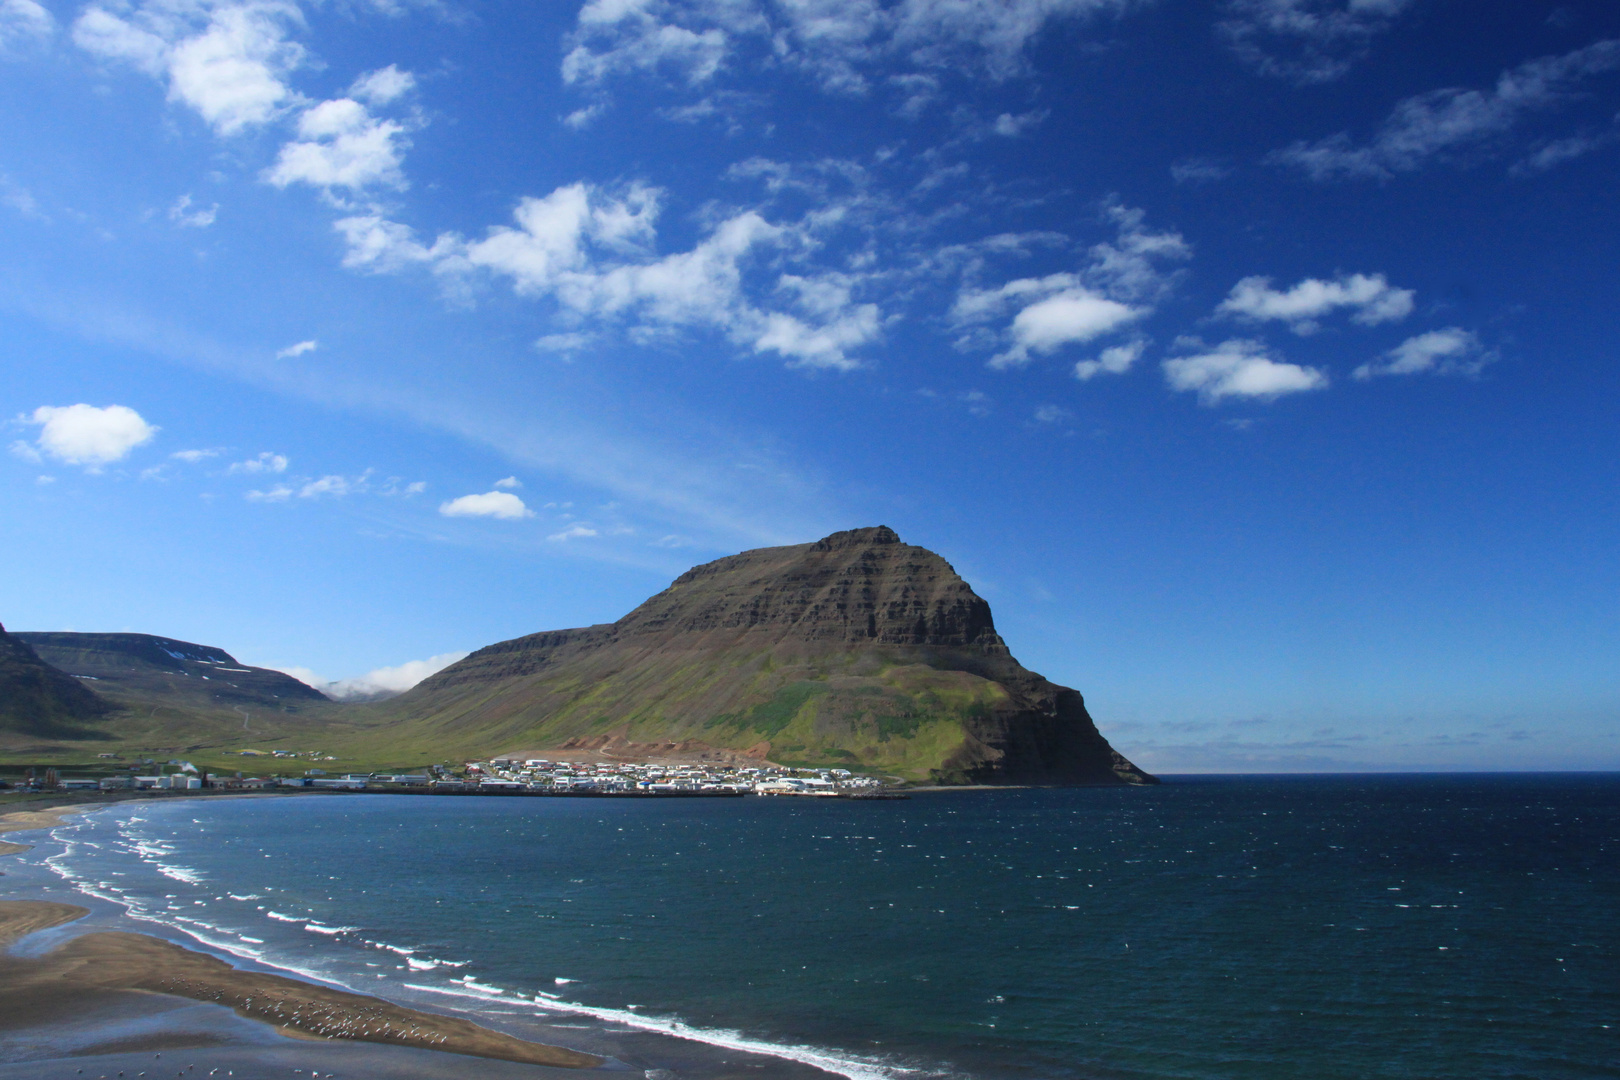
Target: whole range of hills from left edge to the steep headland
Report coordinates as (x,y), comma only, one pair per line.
(856,650)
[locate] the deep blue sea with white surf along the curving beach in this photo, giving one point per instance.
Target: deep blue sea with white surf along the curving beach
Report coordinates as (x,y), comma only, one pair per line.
(1209,929)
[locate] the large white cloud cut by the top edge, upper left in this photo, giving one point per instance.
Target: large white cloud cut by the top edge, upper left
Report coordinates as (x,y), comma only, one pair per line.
(224,61)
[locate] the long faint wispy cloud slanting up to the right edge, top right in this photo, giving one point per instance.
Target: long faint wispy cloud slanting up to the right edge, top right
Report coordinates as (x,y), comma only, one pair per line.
(1452,124)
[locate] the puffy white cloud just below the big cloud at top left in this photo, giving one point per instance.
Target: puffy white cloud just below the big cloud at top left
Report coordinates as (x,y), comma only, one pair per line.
(341,145)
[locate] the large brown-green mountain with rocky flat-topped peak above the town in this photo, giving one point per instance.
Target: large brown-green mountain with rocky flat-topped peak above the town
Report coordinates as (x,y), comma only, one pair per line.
(856,648)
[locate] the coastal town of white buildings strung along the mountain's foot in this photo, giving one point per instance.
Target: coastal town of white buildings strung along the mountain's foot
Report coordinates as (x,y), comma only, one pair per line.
(497,776)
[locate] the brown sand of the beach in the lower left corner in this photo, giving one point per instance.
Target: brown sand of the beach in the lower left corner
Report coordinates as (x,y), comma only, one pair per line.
(121,972)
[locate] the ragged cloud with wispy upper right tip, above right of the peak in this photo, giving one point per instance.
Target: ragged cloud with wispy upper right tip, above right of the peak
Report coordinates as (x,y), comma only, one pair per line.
(1117,287)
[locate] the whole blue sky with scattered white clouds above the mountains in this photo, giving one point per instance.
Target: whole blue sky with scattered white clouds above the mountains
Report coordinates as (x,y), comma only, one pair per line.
(1255,359)
